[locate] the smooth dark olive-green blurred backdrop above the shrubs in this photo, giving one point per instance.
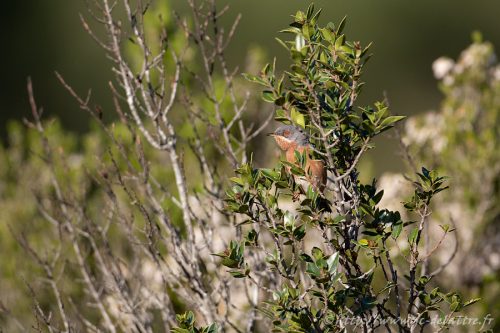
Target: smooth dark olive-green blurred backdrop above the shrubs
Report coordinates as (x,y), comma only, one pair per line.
(40,37)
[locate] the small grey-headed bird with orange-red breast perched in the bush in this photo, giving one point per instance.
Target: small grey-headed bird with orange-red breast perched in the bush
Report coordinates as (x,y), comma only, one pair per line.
(291,139)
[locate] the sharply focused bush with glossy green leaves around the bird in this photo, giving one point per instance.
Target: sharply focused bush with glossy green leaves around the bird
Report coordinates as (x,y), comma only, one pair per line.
(344,275)
